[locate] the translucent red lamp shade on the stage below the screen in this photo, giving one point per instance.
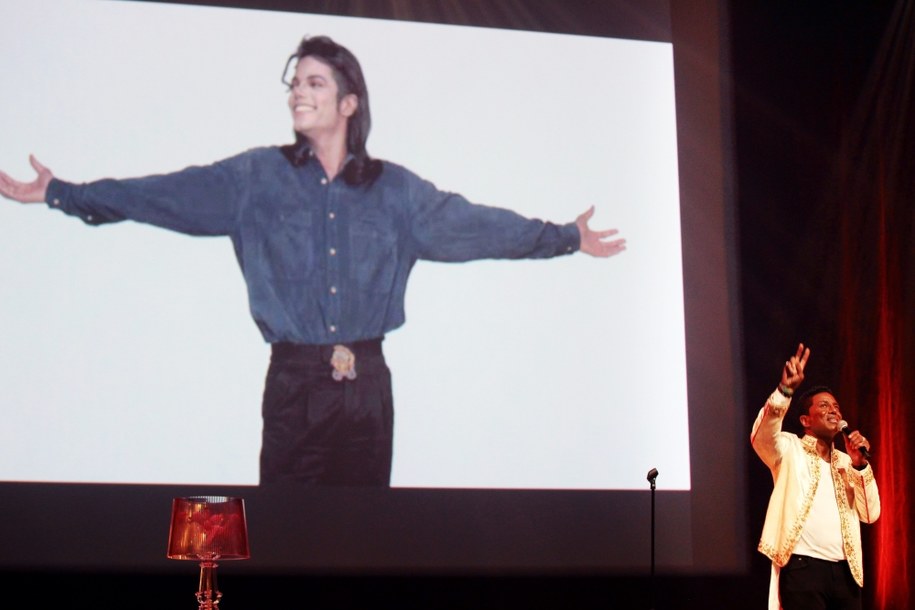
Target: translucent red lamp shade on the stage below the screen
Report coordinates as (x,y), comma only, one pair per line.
(207,528)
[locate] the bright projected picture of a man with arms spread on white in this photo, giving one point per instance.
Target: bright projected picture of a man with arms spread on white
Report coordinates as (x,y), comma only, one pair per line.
(237,238)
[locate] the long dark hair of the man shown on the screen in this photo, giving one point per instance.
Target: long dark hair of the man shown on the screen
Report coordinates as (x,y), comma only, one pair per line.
(361,169)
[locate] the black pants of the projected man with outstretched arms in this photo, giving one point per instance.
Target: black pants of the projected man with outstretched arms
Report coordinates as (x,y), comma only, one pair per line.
(319,430)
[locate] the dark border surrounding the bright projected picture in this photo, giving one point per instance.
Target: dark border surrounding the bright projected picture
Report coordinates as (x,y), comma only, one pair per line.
(476,531)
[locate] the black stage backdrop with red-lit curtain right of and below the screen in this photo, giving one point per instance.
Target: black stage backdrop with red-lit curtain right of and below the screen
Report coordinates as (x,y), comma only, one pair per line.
(823,197)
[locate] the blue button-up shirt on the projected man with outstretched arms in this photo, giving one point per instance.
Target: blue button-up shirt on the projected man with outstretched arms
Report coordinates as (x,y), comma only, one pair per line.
(324,261)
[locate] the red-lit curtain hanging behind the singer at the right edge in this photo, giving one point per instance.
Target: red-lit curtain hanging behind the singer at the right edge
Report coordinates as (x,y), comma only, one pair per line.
(877,300)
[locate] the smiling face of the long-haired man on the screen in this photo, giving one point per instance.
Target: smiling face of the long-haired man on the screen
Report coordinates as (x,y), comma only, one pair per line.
(319,112)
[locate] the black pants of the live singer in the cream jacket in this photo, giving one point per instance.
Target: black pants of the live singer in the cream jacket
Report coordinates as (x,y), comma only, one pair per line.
(806,583)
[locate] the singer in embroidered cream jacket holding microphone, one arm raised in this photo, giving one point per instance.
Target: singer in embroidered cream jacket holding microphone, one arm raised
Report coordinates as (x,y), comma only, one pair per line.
(820,496)
